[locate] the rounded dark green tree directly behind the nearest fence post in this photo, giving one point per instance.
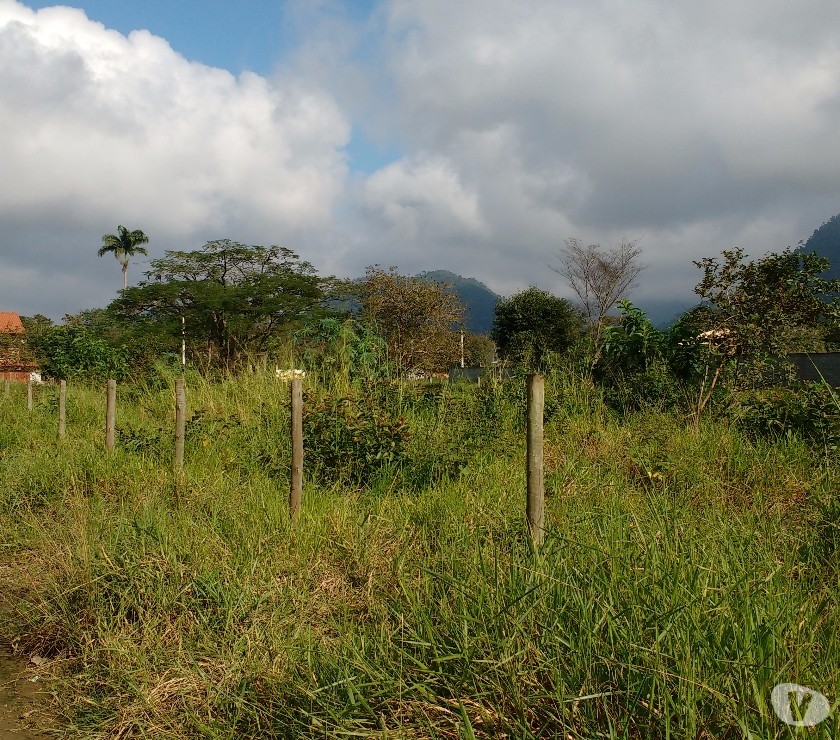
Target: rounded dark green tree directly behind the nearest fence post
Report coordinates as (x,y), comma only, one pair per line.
(533,323)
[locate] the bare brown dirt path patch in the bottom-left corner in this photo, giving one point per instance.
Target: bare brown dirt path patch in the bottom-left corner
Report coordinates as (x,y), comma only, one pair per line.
(21,698)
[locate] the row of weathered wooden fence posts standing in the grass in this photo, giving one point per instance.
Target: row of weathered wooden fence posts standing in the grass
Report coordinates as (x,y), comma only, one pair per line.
(535,475)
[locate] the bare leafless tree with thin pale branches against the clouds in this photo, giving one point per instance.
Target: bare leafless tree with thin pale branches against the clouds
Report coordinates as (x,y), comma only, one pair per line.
(599,277)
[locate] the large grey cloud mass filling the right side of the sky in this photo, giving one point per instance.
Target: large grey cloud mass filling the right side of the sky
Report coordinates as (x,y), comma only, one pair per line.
(691,127)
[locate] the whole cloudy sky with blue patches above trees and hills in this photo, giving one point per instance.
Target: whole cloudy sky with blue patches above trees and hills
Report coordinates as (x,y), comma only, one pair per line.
(474,136)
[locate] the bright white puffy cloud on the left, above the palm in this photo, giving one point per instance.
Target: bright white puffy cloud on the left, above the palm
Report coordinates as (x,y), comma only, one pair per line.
(101,129)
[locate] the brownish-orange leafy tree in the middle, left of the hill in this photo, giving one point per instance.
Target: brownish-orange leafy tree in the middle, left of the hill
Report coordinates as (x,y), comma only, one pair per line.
(417,319)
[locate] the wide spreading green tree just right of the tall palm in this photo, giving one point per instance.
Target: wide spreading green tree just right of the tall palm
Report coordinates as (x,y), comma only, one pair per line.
(228,298)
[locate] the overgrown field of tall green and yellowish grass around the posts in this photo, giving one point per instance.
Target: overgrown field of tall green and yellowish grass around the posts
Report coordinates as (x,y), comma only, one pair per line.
(685,572)
